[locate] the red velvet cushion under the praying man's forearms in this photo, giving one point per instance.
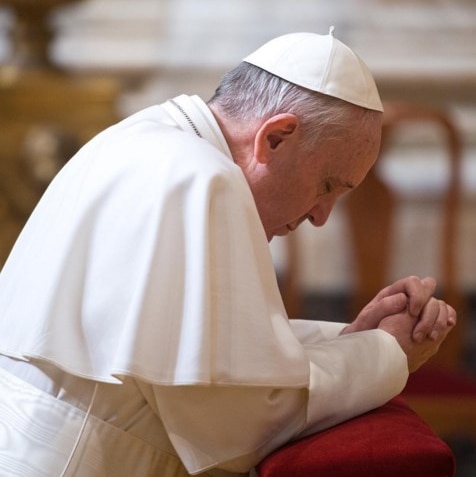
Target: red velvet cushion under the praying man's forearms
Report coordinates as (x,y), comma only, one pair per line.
(392,441)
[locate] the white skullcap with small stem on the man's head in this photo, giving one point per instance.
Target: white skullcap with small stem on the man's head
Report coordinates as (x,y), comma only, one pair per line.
(320,63)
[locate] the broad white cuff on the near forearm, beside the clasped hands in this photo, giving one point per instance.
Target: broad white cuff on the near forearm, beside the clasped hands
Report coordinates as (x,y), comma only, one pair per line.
(351,375)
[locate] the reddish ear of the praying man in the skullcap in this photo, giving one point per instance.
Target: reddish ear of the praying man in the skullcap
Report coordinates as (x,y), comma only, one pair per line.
(275,136)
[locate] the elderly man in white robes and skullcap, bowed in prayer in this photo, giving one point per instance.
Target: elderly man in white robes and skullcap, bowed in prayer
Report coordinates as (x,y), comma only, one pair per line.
(141,327)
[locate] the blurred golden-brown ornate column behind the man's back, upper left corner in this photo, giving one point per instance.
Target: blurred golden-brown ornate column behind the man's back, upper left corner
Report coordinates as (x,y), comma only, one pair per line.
(45,113)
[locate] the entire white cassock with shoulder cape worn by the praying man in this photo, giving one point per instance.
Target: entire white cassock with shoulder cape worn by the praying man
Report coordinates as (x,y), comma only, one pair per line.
(141,326)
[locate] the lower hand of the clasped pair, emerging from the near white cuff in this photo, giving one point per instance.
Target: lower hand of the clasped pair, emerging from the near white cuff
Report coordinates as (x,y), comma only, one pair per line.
(402,327)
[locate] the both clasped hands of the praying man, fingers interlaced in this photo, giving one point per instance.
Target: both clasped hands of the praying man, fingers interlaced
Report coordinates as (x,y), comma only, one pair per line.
(408,310)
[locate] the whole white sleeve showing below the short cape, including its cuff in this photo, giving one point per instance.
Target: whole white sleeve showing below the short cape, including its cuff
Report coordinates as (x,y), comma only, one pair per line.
(234,427)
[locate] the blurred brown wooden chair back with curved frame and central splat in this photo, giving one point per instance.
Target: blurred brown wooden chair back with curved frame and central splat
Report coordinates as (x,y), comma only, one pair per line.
(371,210)
